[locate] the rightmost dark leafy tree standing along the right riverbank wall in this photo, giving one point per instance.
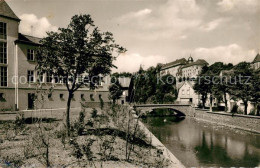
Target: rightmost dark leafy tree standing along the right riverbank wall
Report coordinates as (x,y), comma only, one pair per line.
(241,84)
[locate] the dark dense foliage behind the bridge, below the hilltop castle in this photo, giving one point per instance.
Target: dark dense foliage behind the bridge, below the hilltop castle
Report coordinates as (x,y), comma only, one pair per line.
(148,86)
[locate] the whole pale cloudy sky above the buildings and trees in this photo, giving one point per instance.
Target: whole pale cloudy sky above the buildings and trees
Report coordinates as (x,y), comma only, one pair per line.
(157,31)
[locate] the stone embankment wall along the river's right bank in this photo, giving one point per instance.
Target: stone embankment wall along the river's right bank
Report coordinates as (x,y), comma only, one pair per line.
(237,121)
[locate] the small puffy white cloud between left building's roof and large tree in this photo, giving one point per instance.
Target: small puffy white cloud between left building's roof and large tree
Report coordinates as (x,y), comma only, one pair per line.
(32,25)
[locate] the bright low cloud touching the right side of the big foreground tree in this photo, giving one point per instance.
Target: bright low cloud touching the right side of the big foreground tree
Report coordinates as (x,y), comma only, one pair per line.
(132,62)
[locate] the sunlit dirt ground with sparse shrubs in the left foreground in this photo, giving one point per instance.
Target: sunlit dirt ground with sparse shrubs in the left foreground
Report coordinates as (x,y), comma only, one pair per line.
(22,145)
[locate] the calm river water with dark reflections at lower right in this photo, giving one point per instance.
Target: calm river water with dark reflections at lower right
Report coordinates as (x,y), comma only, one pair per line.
(197,143)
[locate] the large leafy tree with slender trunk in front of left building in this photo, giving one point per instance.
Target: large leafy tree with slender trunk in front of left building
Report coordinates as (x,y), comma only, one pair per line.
(79,49)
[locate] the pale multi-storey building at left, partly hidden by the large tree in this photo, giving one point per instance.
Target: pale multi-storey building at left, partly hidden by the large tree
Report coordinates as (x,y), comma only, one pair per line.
(18,86)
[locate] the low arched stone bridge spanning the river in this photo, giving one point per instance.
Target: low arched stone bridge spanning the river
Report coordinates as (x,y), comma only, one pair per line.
(181,109)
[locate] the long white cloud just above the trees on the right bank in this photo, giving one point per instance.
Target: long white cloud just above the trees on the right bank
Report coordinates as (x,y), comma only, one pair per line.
(232,53)
